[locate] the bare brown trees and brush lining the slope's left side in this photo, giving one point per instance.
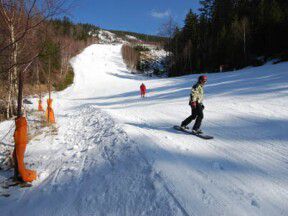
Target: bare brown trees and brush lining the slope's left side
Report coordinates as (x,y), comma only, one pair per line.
(42,54)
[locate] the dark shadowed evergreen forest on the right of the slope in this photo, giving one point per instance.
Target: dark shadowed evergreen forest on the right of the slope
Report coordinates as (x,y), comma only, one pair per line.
(231,34)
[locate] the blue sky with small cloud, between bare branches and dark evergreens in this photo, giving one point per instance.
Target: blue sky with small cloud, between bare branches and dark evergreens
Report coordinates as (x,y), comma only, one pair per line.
(144,16)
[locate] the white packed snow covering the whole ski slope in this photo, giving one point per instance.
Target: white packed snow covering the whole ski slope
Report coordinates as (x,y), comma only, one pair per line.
(113,153)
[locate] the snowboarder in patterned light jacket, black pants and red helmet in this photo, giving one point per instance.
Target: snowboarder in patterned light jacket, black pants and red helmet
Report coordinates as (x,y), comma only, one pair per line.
(197,107)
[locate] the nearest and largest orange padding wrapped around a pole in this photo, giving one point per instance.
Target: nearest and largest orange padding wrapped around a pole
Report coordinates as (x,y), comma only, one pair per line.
(20,138)
